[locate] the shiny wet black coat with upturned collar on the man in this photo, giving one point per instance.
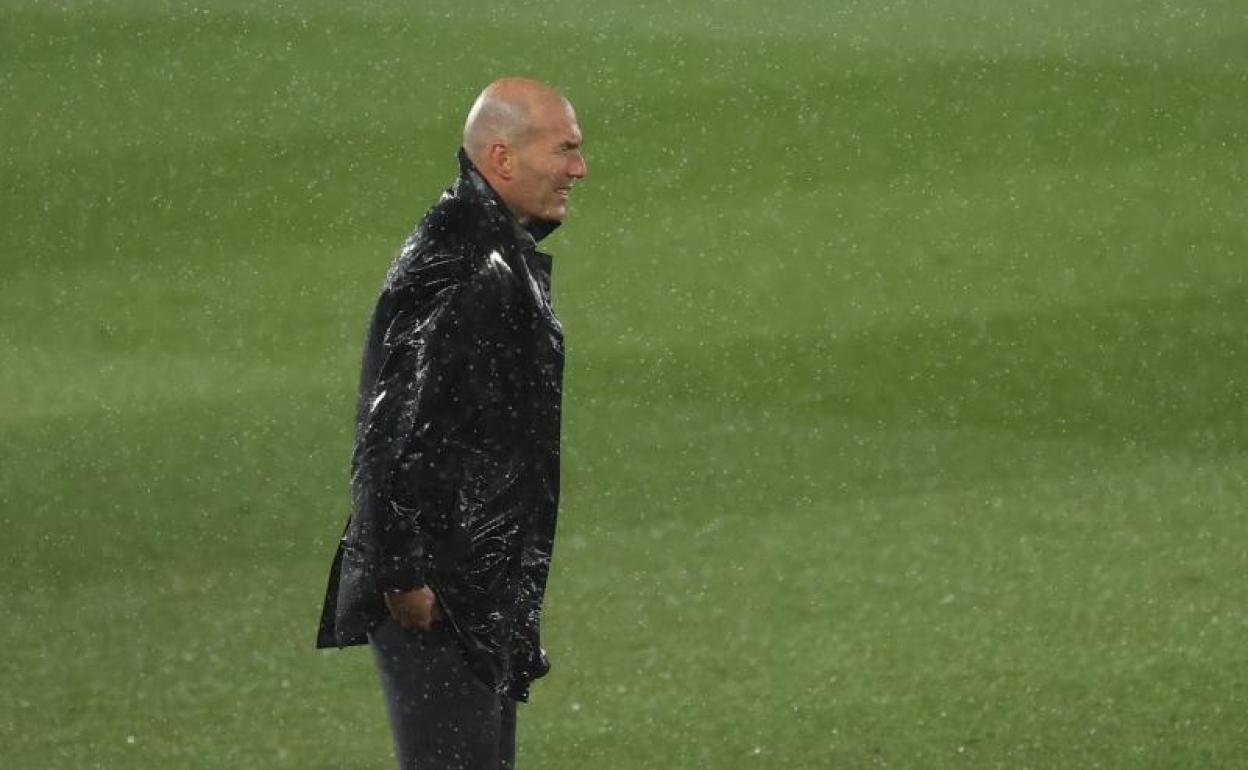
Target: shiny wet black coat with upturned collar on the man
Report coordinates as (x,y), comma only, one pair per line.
(455,476)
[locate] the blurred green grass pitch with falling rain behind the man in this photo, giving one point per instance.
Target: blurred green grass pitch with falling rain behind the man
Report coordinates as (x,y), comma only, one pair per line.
(905,409)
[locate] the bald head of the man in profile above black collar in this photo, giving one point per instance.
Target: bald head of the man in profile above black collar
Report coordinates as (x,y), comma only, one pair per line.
(524,137)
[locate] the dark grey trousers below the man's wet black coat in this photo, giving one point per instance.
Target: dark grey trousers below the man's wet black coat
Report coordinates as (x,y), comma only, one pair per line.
(442,717)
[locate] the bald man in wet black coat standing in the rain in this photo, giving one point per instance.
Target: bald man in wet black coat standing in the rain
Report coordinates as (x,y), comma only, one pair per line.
(456,470)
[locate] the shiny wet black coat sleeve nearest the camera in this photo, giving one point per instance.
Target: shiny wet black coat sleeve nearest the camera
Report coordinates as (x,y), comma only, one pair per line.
(415,415)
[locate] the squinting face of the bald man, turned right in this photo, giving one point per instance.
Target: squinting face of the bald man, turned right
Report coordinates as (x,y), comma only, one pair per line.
(547,165)
